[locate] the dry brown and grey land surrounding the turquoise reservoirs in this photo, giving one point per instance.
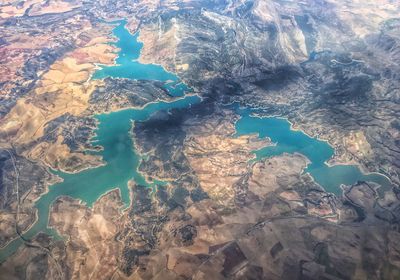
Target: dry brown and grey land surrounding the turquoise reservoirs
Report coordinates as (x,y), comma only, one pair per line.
(330,67)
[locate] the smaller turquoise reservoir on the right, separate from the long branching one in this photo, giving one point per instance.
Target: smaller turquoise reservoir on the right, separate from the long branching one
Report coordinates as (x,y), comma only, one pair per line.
(318,152)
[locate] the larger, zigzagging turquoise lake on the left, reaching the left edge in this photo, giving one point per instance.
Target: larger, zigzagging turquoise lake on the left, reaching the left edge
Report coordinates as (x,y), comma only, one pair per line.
(113,134)
